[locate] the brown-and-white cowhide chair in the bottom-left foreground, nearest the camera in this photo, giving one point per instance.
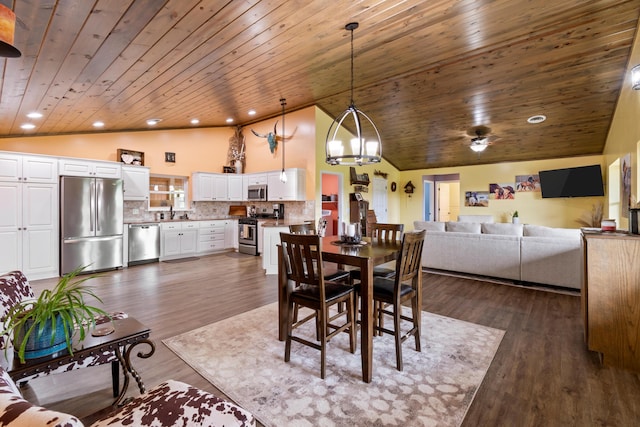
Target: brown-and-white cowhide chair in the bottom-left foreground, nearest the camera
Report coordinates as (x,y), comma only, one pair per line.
(171,403)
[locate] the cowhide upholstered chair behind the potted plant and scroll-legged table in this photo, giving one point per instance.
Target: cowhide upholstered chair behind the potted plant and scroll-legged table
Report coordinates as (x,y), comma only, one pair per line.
(14,288)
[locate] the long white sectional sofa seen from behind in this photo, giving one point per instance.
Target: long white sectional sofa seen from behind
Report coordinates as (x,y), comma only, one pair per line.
(523,253)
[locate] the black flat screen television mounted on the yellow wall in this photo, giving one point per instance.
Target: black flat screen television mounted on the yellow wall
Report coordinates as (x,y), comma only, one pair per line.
(583,181)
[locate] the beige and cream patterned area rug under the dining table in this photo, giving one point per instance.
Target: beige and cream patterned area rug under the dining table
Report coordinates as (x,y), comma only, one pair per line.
(243,358)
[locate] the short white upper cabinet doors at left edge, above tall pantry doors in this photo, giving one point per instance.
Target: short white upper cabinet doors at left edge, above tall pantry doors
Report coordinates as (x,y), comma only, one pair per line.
(27,168)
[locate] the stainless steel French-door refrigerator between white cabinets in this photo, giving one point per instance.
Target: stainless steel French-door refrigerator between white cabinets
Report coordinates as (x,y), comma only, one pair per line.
(91,223)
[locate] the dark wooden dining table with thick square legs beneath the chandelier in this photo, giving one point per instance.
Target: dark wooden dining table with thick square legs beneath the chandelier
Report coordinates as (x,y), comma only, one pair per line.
(364,256)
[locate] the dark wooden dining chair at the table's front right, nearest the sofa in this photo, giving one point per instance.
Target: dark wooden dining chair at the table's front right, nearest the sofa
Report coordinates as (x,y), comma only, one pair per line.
(390,294)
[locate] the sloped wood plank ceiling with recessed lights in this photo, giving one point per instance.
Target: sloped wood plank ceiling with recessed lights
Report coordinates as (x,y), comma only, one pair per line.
(428,72)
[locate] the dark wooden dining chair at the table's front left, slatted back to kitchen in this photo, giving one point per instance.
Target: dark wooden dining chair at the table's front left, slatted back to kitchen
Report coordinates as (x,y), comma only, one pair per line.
(303,266)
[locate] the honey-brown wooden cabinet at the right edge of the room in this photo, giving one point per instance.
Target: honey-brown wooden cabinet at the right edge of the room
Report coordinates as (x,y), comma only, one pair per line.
(611,297)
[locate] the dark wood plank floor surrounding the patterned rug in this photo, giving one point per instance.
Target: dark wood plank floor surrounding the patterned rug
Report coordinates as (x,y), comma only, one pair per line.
(542,374)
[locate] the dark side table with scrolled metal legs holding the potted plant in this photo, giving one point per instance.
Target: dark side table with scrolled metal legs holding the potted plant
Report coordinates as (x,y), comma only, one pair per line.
(128,334)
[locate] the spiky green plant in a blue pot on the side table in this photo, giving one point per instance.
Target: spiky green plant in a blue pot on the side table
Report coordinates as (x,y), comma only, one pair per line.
(46,325)
